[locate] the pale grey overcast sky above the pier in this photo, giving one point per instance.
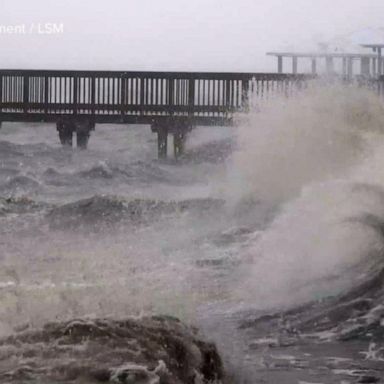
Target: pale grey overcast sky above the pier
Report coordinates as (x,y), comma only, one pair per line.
(221,35)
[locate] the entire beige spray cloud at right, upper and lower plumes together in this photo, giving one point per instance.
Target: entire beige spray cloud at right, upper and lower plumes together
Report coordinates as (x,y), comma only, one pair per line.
(317,157)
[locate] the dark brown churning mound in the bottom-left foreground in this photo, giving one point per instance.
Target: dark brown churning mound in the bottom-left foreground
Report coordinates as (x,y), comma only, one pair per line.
(150,350)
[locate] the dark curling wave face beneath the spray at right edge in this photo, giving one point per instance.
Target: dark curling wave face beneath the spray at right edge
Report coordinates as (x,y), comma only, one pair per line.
(356,313)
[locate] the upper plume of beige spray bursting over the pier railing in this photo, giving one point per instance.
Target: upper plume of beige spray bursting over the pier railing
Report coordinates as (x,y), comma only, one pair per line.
(289,142)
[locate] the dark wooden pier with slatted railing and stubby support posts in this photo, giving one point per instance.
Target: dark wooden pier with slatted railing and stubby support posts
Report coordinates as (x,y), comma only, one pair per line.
(170,102)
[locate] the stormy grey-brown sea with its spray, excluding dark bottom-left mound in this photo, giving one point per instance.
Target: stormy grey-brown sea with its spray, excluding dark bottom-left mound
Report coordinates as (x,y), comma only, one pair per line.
(281,216)
